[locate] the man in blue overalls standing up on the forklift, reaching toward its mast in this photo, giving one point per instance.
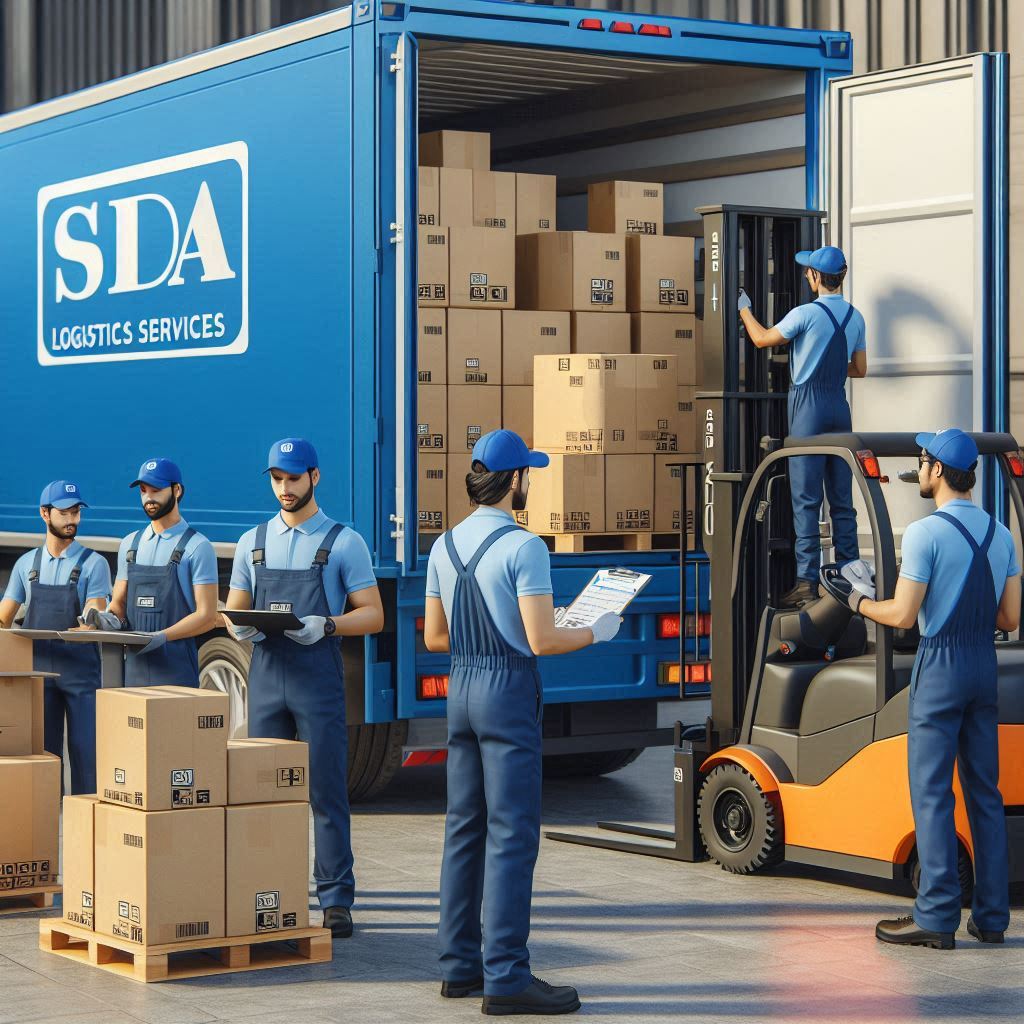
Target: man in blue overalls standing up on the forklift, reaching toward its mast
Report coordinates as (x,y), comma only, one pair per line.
(827,347)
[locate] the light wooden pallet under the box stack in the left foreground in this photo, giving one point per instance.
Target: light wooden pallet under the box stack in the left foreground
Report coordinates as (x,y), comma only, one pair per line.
(190,959)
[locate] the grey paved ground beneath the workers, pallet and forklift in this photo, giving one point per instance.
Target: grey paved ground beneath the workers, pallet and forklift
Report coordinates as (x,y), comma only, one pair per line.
(644,940)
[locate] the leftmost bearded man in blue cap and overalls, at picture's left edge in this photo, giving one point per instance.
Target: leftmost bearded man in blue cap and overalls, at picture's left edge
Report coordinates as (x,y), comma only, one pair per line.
(60,581)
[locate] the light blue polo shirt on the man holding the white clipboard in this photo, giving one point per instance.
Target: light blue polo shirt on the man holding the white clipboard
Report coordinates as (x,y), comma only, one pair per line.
(517,566)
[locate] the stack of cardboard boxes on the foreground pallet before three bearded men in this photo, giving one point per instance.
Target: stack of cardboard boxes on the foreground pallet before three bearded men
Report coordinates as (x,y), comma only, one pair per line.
(191,837)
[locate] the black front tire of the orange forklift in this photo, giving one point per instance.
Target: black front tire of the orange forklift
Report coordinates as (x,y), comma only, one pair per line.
(742,828)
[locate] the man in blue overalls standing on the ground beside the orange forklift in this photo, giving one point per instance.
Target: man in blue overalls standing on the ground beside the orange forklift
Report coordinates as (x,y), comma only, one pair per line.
(959,575)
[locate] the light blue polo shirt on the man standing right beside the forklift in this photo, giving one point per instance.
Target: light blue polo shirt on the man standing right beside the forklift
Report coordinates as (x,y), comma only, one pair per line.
(934,549)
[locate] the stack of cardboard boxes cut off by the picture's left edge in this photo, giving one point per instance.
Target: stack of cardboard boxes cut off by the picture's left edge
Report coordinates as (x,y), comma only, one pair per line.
(30,779)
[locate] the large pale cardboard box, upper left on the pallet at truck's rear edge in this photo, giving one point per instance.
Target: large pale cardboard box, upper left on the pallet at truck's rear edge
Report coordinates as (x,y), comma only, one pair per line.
(585,404)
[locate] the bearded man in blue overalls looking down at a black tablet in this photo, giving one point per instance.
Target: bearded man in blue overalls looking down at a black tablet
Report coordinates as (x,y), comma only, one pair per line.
(304,563)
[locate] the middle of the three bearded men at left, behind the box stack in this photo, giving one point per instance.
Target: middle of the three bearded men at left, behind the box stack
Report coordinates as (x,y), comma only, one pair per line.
(166,585)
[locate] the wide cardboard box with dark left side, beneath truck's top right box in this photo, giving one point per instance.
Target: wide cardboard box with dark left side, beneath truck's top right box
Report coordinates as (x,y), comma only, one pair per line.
(572,271)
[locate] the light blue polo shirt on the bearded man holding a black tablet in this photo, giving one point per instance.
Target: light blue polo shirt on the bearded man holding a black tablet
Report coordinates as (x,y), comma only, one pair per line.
(349,570)
